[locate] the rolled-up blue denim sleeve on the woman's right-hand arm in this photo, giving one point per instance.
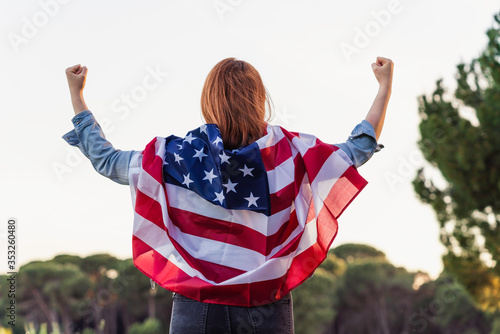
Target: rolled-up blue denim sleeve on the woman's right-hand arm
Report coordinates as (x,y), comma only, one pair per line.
(361,144)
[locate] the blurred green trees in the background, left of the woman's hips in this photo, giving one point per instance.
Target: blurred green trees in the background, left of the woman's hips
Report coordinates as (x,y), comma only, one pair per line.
(95,294)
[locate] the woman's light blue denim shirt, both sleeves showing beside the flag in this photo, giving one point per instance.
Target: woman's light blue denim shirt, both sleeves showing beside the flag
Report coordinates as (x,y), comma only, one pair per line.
(87,135)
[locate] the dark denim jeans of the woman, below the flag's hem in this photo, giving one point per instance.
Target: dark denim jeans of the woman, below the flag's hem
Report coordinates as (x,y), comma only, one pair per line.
(193,317)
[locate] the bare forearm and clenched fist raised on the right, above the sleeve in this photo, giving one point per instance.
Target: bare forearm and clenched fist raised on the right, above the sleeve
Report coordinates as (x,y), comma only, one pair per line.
(382,69)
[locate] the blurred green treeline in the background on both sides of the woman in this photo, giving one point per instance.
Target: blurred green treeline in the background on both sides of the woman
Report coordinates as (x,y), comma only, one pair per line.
(355,290)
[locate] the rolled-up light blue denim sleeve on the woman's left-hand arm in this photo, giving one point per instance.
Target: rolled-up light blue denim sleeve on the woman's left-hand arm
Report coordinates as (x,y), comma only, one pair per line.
(87,135)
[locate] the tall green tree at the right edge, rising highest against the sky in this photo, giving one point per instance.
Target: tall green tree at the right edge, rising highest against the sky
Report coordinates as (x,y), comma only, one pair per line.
(467,156)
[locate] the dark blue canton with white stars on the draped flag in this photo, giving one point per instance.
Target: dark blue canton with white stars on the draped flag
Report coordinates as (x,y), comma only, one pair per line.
(233,179)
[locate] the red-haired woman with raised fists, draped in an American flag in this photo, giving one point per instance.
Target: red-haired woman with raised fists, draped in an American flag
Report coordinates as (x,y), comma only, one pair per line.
(238,213)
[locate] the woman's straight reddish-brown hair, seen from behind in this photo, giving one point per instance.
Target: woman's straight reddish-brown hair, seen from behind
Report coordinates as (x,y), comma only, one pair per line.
(234,98)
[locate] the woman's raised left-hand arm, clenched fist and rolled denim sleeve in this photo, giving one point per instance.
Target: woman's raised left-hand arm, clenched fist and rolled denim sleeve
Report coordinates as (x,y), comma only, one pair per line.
(88,136)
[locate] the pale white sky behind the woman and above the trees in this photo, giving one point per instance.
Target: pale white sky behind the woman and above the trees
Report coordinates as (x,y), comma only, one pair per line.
(147,64)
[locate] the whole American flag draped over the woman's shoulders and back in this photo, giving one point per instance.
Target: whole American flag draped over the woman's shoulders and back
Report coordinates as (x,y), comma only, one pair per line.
(241,227)
